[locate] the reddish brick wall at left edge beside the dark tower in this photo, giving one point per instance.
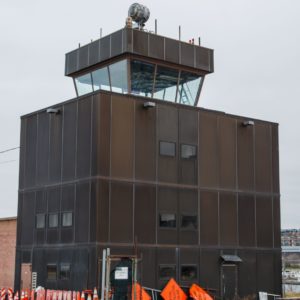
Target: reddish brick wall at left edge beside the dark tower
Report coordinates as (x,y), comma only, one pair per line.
(7,251)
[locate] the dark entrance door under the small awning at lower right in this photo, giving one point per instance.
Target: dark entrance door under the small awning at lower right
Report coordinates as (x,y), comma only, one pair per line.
(229,281)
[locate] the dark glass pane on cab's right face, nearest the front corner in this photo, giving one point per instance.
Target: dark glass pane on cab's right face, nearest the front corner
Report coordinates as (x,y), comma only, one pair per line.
(142,76)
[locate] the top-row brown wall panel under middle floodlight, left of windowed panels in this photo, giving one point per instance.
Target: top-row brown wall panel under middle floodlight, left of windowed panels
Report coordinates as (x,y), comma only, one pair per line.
(145,143)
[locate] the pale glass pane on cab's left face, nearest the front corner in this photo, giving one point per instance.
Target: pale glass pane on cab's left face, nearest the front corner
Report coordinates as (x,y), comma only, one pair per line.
(118,77)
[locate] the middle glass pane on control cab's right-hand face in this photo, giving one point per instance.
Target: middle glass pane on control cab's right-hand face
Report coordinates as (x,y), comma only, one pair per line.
(166,84)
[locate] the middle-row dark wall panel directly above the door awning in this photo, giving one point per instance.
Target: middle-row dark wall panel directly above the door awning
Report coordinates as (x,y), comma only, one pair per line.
(228,219)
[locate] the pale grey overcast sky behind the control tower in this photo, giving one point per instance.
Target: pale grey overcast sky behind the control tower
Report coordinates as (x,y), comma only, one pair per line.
(257,67)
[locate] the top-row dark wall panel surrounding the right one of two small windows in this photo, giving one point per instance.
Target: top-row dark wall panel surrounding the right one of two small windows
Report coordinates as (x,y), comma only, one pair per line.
(188,134)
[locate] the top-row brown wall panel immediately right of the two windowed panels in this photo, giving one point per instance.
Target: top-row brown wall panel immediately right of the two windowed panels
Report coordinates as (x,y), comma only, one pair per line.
(208,150)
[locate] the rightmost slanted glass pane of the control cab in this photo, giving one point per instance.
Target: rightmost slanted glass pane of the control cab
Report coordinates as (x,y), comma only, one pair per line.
(188,88)
